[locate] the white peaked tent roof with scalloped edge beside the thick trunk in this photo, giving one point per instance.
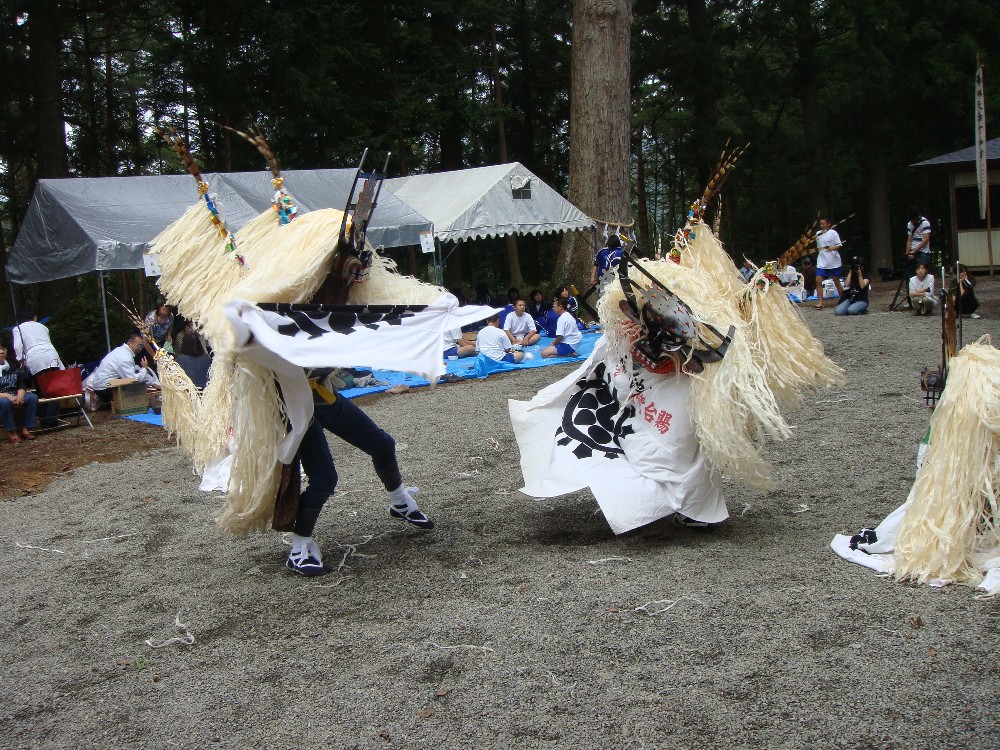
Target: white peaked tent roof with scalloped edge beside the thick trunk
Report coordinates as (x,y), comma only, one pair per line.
(479,202)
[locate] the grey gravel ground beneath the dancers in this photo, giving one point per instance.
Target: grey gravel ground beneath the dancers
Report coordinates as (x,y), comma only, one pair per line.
(515,623)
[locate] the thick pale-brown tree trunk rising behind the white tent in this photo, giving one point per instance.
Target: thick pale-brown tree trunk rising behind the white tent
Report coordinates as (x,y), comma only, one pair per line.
(599,181)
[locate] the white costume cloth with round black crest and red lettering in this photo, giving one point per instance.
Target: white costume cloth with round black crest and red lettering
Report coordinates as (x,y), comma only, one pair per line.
(630,439)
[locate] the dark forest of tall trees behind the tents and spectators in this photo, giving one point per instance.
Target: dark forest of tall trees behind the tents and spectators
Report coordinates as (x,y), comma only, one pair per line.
(836,98)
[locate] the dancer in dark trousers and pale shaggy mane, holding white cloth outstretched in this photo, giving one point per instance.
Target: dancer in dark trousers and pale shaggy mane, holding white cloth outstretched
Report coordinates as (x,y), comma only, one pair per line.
(302,297)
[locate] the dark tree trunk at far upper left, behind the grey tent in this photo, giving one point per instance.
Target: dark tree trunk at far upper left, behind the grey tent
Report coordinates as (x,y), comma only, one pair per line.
(46,78)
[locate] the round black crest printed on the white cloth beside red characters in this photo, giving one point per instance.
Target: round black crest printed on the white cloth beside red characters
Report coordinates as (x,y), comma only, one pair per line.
(589,418)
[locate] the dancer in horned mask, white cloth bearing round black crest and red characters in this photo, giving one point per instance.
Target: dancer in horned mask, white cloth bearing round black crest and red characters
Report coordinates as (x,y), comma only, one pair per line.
(691,375)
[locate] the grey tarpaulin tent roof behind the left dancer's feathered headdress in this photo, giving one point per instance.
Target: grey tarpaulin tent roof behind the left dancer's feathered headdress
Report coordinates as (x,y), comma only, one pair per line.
(84,224)
